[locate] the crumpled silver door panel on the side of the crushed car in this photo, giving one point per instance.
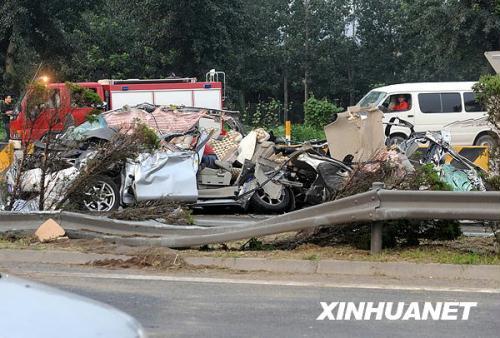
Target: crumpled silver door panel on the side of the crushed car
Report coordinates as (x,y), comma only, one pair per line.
(170,176)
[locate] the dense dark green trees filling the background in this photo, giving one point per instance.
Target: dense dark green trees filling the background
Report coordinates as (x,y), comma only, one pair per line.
(338,49)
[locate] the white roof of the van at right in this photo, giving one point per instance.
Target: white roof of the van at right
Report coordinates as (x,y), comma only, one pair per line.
(427,87)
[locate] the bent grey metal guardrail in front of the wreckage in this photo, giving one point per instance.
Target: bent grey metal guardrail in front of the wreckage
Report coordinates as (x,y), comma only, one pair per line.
(375,206)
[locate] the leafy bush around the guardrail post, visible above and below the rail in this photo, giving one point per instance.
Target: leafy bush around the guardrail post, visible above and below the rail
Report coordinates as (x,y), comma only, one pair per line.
(396,233)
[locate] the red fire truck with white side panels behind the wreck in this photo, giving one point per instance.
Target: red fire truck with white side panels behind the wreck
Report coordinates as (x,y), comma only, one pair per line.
(116,94)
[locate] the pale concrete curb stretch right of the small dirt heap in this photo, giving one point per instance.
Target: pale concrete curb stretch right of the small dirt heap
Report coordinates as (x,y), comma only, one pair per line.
(353,268)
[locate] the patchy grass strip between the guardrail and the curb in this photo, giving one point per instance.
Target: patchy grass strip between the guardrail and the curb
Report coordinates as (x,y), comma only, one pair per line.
(464,251)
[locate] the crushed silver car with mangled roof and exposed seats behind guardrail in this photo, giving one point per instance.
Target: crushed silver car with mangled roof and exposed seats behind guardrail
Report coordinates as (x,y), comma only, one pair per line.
(203,158)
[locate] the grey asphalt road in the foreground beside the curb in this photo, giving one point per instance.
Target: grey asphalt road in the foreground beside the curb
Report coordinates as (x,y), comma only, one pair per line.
(173,306)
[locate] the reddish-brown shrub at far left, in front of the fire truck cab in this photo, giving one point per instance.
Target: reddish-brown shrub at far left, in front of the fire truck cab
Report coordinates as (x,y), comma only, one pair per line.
(37,169)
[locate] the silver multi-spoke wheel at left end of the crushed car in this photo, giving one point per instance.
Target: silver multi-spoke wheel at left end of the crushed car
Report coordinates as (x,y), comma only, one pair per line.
(101,195)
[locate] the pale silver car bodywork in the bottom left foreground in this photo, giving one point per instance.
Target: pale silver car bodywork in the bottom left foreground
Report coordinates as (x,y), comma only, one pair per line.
(34,310)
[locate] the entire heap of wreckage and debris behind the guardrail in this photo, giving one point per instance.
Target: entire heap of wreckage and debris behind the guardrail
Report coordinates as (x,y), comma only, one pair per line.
(155,158)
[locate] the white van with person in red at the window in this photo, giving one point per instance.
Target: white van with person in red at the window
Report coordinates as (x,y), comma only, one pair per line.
(431,106)
